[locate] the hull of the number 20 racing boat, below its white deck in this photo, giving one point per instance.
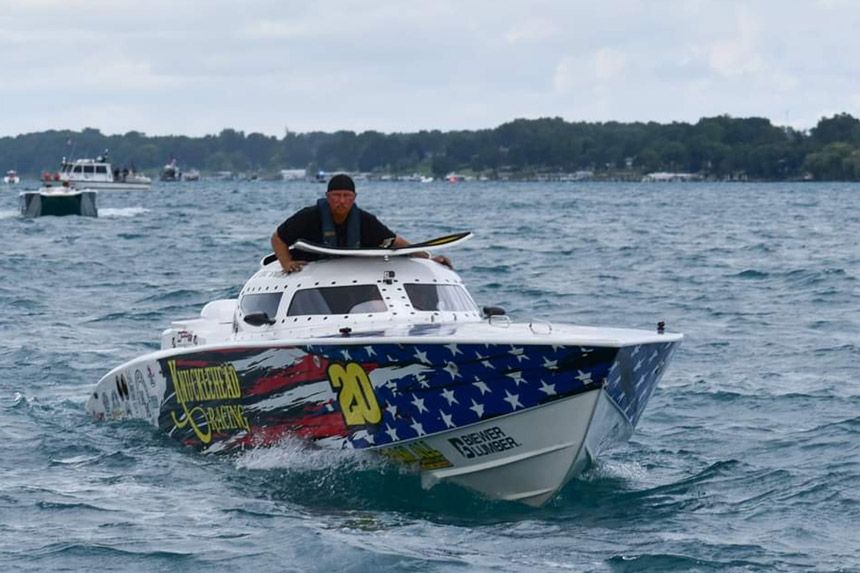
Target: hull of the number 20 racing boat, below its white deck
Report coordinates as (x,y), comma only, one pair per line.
(511,421)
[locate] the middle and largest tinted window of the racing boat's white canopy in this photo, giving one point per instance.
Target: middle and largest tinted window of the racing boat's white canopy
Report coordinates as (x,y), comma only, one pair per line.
(353,299)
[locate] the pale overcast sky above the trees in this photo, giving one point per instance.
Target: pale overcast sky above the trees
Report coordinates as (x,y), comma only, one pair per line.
(195,67)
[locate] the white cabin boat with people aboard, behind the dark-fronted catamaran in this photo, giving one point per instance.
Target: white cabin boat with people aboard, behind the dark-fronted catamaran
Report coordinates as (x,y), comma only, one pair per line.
(97,174)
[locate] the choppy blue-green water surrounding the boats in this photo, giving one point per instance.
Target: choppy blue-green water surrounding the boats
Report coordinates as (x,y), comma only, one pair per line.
(747,458)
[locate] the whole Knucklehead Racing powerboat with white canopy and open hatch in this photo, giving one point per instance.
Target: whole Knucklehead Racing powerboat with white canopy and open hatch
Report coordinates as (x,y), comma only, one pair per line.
(374,349)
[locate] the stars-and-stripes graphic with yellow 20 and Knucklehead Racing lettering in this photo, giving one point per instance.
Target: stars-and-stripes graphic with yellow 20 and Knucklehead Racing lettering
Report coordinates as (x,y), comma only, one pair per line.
(375,395)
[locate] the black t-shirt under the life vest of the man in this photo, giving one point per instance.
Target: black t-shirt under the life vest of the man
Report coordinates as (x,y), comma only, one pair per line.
(307,225)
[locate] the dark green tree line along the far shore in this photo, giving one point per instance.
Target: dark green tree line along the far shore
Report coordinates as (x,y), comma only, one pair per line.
(719,147)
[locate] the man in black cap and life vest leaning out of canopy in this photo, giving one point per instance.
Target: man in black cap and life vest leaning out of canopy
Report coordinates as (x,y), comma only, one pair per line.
(335,221)
